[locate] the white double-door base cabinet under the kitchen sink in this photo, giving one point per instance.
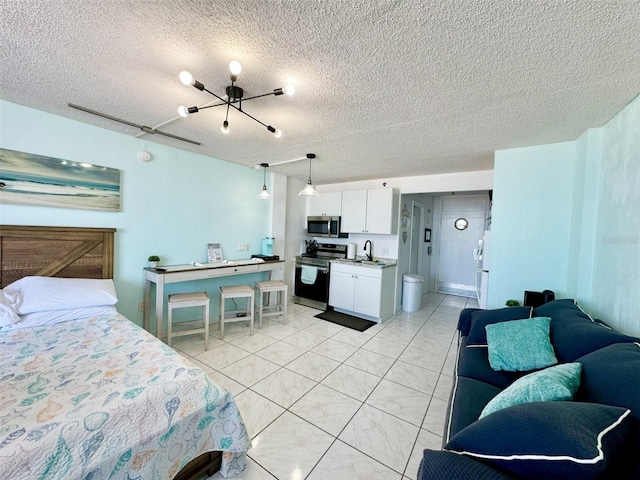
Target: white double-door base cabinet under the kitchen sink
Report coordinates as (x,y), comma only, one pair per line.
(362,291)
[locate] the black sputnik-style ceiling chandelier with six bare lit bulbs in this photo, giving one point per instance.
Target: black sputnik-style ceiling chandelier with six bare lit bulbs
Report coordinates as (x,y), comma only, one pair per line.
(235,96)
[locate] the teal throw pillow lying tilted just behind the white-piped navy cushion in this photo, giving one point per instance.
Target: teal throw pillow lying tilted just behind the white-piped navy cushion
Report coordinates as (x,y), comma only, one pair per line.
(554,383)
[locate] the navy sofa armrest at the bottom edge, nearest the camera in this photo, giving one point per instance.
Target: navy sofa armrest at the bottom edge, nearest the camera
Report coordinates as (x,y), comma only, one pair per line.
(443,465)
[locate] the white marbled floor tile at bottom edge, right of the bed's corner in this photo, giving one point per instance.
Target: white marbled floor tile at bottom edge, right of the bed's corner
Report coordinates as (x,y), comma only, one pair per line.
(290,447)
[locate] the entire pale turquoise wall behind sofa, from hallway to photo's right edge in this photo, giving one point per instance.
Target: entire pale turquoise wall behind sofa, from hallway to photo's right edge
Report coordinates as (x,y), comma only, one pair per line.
(566,218)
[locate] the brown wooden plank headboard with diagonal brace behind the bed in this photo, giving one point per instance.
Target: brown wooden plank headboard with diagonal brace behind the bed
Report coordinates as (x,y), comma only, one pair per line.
(55,252)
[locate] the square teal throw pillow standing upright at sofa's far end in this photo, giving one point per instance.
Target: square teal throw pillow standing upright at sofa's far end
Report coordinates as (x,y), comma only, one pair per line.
(520,345)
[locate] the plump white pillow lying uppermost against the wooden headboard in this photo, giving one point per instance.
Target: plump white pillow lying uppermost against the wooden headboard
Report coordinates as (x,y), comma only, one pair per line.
(38,294)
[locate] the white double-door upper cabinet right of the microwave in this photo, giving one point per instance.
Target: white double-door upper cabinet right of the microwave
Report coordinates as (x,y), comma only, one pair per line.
(370,211)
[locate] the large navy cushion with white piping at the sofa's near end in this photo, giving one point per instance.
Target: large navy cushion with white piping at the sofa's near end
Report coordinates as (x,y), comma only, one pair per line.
(550,440)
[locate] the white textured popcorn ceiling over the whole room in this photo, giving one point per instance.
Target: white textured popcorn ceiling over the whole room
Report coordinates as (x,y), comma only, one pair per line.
(384,88)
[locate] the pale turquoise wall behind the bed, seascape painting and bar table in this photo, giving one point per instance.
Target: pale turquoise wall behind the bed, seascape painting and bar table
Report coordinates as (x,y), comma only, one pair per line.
(172,206)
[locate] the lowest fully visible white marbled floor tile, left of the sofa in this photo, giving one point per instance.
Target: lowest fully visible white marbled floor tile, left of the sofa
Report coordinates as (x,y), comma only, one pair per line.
(381,436)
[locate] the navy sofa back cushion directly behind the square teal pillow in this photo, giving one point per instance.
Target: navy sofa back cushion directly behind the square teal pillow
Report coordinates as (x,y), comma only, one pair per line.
(574,333)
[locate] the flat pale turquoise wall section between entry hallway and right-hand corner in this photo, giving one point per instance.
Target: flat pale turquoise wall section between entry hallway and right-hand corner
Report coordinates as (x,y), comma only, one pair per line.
(531,221)
